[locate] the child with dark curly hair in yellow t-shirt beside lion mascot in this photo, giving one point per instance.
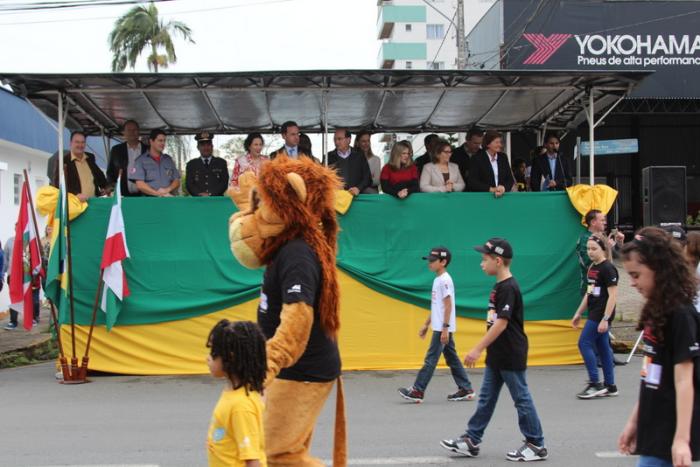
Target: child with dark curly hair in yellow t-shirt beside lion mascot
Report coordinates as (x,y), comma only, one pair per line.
(236,437)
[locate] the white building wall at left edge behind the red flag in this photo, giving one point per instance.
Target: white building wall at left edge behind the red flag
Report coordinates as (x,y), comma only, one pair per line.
(13,159)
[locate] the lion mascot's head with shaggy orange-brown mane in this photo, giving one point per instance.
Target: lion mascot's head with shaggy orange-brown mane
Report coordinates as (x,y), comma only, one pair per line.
(289,199)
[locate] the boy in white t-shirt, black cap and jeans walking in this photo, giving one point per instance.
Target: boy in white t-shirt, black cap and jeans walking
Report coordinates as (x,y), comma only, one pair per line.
(443,320)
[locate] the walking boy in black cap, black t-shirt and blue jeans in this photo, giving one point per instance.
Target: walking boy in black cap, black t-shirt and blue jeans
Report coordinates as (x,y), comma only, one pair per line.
(506,361)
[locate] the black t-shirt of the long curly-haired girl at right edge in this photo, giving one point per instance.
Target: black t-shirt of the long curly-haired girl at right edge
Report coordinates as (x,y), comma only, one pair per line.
(657,395)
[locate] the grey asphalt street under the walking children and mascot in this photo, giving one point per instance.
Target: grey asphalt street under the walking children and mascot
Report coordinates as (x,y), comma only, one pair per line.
(162,421)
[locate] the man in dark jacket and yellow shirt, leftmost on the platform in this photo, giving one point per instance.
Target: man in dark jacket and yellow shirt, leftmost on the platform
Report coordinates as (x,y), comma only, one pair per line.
(83,177)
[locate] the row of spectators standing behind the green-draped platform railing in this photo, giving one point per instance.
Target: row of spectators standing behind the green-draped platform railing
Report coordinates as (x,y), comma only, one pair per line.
(478,165)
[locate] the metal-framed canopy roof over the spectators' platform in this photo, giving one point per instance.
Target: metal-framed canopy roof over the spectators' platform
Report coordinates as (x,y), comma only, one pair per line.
(379,100)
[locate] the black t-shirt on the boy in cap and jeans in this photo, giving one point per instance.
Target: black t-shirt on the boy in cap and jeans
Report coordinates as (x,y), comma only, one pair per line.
(509,350)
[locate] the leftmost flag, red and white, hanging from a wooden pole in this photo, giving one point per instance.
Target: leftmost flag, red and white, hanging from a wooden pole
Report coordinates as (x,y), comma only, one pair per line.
(26,261)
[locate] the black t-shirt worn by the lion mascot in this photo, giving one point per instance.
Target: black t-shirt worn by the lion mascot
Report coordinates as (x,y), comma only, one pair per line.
(293,276)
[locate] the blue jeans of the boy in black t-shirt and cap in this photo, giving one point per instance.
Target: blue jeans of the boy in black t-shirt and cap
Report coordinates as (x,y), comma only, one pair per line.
(516,382)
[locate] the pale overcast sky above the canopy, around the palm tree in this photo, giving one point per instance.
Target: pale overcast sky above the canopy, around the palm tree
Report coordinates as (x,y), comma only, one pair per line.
(230,35)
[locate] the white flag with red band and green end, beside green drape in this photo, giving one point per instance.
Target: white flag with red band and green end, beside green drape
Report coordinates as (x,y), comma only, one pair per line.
(114,252)
